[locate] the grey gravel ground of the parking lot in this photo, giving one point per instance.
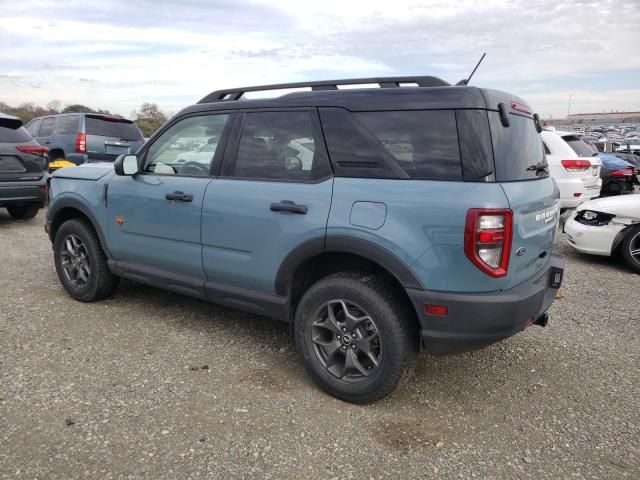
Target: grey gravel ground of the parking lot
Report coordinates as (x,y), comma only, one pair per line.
(152,384)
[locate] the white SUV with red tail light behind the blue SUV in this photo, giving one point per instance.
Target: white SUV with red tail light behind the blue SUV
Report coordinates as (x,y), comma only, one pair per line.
(573,167)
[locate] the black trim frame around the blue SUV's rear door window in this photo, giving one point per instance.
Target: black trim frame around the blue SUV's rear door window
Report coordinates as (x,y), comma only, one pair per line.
(231,154)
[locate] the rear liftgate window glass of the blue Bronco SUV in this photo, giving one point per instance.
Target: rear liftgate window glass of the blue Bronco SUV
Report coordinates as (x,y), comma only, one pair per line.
(516,148)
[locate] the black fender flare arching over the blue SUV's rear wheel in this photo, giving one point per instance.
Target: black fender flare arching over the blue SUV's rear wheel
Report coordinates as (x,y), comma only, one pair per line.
(344,244)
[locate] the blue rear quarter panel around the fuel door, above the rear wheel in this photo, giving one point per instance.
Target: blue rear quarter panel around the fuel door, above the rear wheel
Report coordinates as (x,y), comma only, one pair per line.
(423,227)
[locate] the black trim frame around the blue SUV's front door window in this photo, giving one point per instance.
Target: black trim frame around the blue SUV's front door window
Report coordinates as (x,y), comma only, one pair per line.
(214,167)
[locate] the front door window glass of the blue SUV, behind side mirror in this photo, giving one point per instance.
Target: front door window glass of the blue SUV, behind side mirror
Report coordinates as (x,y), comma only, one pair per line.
(187,147)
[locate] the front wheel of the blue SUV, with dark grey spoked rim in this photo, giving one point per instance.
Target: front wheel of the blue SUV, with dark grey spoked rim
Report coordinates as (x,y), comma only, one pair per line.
(80,262)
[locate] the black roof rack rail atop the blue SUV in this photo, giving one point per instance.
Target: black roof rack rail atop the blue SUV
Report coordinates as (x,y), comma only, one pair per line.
(383,82)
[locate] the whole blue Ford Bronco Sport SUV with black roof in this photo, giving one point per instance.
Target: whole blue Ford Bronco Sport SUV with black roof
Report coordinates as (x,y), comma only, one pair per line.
(377,220)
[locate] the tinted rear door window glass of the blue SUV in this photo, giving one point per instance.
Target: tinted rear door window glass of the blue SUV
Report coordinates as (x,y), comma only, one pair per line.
(278,146)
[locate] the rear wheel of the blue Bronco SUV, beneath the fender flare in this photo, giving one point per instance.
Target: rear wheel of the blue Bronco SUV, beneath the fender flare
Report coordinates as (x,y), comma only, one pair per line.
(355,336)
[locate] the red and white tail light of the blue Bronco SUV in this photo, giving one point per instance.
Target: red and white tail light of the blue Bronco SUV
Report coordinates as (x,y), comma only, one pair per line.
(487,240)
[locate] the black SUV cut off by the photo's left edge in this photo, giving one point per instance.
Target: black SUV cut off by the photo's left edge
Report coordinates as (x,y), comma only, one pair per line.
(23,170)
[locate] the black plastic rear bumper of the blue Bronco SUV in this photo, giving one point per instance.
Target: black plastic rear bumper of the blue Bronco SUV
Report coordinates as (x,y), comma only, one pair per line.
(475,320)
